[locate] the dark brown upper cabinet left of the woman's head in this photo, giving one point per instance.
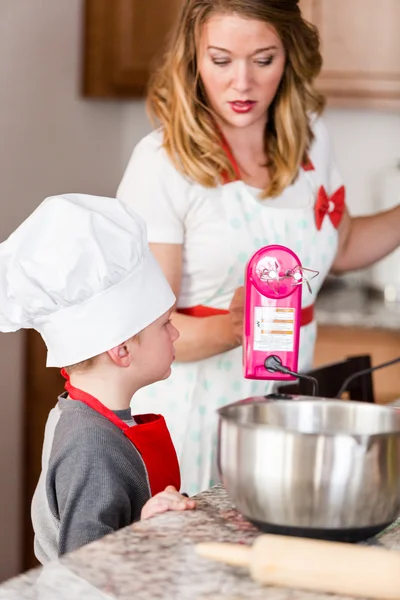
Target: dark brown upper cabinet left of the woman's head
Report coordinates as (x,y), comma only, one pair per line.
(121,41)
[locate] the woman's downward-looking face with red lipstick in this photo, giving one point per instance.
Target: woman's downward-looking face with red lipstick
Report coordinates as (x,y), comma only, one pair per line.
(241,63)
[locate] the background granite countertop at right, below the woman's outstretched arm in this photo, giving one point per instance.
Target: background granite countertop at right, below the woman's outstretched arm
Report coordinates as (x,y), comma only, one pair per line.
(347,303)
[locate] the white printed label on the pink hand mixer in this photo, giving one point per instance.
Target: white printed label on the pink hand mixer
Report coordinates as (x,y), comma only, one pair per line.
(274,328)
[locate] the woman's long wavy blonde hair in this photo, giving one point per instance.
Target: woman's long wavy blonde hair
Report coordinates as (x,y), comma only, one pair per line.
(177,101)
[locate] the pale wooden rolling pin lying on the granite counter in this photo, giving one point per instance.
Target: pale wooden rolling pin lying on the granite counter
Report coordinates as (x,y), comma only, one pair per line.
(315,565)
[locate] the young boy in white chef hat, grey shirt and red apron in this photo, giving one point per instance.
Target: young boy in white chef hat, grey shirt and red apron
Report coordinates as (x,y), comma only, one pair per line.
(80,272)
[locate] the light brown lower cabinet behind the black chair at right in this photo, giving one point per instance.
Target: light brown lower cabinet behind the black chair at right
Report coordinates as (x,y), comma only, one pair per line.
(335,343)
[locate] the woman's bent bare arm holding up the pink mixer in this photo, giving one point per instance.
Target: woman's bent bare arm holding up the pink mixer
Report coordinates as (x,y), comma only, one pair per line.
(199,337)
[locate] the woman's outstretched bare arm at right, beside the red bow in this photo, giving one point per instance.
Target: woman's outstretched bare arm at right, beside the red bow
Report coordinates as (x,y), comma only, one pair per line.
(365,240)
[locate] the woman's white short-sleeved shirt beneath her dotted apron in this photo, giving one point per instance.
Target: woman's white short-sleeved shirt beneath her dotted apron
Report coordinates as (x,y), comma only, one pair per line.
(179,211)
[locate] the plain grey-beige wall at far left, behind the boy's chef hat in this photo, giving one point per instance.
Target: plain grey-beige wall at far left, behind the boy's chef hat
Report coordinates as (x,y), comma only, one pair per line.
(51,141)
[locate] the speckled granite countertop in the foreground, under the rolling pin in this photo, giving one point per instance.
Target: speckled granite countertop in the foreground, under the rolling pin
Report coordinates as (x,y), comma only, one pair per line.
(156,559)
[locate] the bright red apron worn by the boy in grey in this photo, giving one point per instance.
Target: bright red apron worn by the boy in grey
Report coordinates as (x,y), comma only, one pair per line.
(150,436)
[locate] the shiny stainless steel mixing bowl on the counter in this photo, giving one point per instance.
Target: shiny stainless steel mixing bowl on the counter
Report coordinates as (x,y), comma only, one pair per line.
(313,467)
